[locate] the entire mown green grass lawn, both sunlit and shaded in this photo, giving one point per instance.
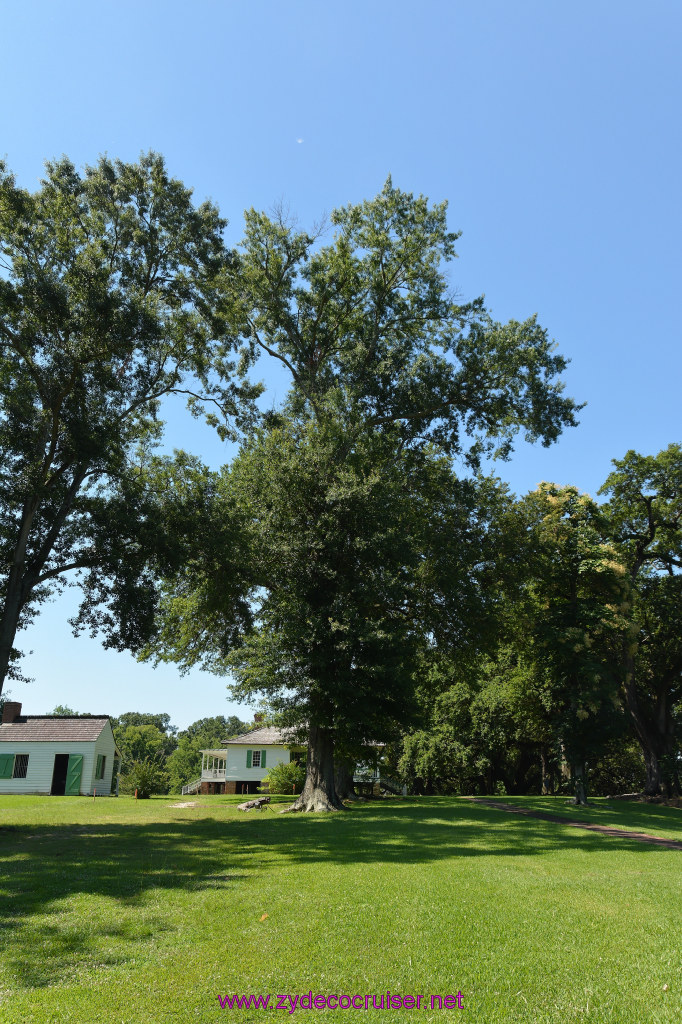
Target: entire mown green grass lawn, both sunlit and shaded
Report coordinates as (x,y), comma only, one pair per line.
(138,913)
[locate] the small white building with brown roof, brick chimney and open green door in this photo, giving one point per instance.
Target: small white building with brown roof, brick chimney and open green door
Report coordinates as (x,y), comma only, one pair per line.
(58,755)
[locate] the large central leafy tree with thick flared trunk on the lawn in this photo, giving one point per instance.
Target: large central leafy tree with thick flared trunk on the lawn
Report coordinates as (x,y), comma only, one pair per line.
(363,544)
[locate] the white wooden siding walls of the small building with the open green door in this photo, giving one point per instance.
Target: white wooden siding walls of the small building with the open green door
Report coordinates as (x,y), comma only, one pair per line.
(41,764)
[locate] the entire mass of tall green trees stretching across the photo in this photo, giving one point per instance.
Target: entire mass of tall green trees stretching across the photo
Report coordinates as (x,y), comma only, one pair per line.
(353,567)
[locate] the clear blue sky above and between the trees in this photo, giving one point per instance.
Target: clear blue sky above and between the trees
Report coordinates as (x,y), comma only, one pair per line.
(552,130)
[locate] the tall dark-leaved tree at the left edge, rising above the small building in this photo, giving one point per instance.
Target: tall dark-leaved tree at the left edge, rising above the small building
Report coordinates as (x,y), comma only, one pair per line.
(112,296)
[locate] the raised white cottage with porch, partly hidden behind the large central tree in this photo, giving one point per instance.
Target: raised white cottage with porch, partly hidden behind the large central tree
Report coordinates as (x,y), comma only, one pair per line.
(241,765)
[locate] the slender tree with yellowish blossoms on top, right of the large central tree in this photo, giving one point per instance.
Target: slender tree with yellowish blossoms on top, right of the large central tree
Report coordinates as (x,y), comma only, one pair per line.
(570,624)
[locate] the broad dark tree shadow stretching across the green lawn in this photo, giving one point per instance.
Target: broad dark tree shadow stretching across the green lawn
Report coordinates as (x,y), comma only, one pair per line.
(42,867)
